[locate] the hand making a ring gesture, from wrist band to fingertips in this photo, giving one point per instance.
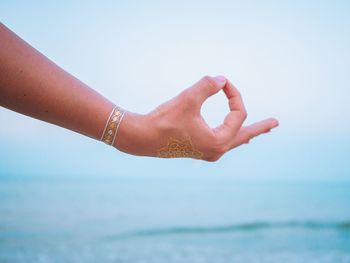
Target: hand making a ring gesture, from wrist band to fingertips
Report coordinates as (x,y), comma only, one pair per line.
(177,129)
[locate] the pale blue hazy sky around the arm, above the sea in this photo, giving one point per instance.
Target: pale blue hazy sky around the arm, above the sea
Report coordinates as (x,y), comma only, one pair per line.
(289,59)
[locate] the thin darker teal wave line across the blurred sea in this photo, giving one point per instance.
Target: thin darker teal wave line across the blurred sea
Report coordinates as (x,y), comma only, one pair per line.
(244,227)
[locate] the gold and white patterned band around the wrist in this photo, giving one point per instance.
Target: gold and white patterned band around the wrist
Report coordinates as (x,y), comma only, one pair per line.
(112,125)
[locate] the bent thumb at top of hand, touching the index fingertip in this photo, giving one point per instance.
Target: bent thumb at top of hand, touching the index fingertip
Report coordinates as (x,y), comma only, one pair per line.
(208,86)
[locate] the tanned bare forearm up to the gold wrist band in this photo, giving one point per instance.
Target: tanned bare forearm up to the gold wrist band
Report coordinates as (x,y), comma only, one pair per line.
(33,85)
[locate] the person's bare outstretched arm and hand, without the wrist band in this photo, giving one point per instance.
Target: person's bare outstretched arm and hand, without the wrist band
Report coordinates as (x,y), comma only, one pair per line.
(33,85)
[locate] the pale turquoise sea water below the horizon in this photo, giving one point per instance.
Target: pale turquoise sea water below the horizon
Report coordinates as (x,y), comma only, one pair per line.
(195,219)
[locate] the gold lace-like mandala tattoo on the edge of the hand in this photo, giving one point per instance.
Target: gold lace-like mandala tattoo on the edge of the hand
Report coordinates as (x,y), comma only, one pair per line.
(179,148)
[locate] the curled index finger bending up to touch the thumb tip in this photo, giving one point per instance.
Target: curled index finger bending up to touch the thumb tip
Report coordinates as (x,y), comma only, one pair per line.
(237,115)
